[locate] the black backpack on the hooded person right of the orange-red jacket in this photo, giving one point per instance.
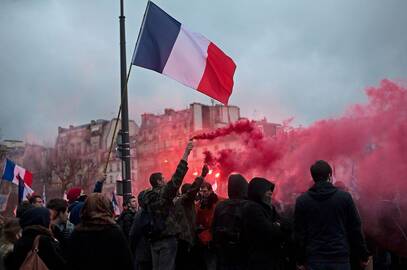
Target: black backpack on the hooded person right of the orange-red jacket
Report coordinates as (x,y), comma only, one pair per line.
(228,229)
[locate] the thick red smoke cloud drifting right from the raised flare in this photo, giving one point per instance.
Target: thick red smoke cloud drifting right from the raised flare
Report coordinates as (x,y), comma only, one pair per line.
(367,146)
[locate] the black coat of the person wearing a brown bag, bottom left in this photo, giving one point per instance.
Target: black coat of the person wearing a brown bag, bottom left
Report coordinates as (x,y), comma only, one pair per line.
(48,247)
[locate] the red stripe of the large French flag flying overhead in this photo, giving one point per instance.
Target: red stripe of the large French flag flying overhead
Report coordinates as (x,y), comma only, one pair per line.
(217,80)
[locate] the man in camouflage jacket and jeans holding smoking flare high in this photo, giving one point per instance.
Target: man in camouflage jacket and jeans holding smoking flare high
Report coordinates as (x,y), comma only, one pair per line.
(160,206)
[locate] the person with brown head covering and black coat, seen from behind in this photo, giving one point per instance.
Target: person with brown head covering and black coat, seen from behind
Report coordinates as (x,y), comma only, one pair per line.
(98,242)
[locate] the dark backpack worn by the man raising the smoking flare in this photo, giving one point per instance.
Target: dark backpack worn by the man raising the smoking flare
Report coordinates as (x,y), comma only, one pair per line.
(156,213)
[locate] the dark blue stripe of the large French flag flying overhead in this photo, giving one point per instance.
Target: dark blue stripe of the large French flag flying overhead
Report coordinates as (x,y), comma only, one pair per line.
(157,36)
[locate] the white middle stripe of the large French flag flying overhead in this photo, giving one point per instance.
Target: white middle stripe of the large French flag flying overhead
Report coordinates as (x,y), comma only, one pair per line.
(187,60)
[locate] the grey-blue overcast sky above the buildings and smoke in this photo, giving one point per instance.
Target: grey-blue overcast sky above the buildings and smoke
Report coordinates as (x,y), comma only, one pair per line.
(59,59)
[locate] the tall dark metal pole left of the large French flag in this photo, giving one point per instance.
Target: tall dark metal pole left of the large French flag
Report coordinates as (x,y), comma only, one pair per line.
(126,166)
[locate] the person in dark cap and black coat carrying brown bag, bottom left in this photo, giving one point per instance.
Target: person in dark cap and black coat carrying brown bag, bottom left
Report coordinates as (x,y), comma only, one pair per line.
(36,222)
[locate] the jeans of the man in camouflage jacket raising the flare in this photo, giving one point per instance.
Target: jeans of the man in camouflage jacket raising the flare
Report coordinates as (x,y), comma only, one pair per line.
(164,252)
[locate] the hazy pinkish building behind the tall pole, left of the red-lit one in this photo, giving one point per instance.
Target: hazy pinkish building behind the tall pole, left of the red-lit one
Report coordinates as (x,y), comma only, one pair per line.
(82,153)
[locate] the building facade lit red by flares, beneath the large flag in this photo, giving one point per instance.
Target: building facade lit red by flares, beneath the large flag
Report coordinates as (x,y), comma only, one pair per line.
(162,138)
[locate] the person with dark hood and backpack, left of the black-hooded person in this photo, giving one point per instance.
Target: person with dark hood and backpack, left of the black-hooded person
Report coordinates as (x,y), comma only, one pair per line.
(227,226)
